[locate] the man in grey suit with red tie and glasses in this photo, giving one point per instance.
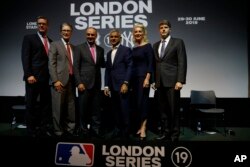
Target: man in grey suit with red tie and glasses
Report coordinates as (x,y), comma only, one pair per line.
(61,58)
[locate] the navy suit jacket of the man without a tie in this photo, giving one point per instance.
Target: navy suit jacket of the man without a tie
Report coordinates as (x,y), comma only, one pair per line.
(120,70)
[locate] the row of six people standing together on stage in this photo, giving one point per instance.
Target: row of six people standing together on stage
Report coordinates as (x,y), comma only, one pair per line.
(67,80)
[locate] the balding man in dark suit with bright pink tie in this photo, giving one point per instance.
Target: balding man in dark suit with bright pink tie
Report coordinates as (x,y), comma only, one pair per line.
(87,71)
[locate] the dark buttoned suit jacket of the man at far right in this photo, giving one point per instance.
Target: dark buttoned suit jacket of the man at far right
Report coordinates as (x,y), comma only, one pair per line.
(172,67)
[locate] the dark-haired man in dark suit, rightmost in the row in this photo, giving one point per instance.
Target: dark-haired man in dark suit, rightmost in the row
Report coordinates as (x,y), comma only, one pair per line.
(171,69)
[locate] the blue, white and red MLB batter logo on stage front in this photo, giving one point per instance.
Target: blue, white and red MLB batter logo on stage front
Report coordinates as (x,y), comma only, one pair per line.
(74,154)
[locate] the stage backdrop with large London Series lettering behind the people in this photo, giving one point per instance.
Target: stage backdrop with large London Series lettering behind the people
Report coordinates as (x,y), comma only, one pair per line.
(215,34)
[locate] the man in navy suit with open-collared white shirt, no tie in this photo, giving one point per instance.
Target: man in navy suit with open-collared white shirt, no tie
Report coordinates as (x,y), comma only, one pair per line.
(117,77)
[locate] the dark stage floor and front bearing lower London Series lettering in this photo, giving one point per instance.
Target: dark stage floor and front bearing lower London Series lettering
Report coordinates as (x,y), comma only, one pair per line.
(205,149)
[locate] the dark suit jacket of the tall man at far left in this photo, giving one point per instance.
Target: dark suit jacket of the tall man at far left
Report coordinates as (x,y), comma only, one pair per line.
(34,58)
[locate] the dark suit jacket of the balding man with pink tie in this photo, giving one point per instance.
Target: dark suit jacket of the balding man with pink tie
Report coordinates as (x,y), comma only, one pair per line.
(86,71)
